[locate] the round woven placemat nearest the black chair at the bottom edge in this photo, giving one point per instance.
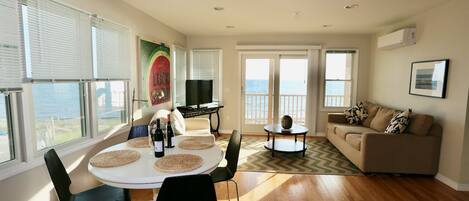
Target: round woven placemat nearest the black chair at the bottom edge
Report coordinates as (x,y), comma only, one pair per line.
(178,163)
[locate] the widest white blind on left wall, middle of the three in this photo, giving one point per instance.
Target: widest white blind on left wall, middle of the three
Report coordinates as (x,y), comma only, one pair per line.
(57,41)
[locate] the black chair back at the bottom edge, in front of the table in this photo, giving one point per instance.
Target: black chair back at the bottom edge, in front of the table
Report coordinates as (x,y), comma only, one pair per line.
(187,188)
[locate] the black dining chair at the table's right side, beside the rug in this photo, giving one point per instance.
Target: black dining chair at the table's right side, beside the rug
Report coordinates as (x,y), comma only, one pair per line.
(232,155)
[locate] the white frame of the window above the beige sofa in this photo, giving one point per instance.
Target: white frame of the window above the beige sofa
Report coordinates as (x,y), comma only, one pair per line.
(354,78)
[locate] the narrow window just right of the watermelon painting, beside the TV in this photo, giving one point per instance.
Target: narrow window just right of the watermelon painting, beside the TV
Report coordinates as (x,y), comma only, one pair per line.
(179,76)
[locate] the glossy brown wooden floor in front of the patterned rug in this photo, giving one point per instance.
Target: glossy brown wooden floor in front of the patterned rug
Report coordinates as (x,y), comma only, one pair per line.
(285,187)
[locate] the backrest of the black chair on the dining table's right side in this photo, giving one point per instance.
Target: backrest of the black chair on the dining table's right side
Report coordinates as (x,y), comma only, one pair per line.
(232,152)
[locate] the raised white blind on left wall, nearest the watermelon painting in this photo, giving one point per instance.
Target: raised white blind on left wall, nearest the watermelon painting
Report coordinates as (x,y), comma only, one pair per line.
(111,50)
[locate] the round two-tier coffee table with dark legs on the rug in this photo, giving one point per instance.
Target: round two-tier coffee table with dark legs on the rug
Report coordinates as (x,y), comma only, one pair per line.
(285,145)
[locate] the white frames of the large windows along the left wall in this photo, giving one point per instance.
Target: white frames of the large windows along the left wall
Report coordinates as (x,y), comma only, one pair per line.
(23,123)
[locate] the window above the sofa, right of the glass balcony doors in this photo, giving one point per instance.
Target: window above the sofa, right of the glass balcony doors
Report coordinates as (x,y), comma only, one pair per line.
(338,78)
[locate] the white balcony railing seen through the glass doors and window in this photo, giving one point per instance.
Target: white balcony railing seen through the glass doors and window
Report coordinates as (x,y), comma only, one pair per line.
(257,107)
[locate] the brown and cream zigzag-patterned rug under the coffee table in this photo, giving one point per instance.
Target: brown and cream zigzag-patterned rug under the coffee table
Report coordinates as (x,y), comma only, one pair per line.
(322,158)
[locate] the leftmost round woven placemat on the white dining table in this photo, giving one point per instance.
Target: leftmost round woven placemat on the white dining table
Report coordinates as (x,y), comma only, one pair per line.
(114,158)
